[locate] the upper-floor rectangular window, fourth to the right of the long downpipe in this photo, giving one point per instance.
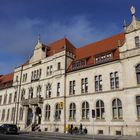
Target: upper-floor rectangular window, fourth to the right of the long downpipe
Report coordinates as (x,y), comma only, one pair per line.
(114,80)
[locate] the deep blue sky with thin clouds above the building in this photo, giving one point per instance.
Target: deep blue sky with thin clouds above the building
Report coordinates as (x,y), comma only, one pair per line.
(81,21)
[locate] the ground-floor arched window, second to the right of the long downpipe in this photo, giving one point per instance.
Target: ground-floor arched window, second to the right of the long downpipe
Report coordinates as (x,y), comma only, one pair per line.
(85,110)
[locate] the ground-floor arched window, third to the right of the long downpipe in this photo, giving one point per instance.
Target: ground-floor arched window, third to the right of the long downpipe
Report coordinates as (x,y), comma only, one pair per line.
(100,109)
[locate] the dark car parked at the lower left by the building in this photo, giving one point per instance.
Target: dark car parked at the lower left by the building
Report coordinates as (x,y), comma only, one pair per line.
(8,129)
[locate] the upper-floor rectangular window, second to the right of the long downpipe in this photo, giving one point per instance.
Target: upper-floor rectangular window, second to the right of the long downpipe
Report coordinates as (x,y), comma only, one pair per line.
(84,85)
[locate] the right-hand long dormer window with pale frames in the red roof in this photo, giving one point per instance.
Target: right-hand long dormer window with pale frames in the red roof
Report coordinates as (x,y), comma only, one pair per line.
(103,58)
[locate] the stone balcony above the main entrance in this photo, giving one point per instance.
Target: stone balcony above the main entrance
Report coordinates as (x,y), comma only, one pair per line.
(32,101)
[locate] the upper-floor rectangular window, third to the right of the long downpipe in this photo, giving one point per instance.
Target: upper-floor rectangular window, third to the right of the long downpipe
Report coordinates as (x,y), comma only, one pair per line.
(98,83)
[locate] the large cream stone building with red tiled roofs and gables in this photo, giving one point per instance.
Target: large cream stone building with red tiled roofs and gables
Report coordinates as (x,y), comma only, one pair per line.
(61,85)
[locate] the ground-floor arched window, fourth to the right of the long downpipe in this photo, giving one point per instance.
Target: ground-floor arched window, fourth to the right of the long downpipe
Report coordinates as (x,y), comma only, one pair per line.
(117,109)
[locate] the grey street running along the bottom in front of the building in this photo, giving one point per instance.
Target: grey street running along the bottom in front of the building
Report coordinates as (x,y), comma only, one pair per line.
(55,136)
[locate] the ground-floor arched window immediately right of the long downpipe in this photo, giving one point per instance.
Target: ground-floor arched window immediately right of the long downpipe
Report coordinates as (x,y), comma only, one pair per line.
(72,111)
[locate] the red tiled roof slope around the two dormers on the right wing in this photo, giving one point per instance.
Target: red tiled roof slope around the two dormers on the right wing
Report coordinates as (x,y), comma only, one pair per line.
(89,52)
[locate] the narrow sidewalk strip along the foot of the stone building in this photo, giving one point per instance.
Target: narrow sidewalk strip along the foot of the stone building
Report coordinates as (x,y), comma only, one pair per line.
(105,137)
